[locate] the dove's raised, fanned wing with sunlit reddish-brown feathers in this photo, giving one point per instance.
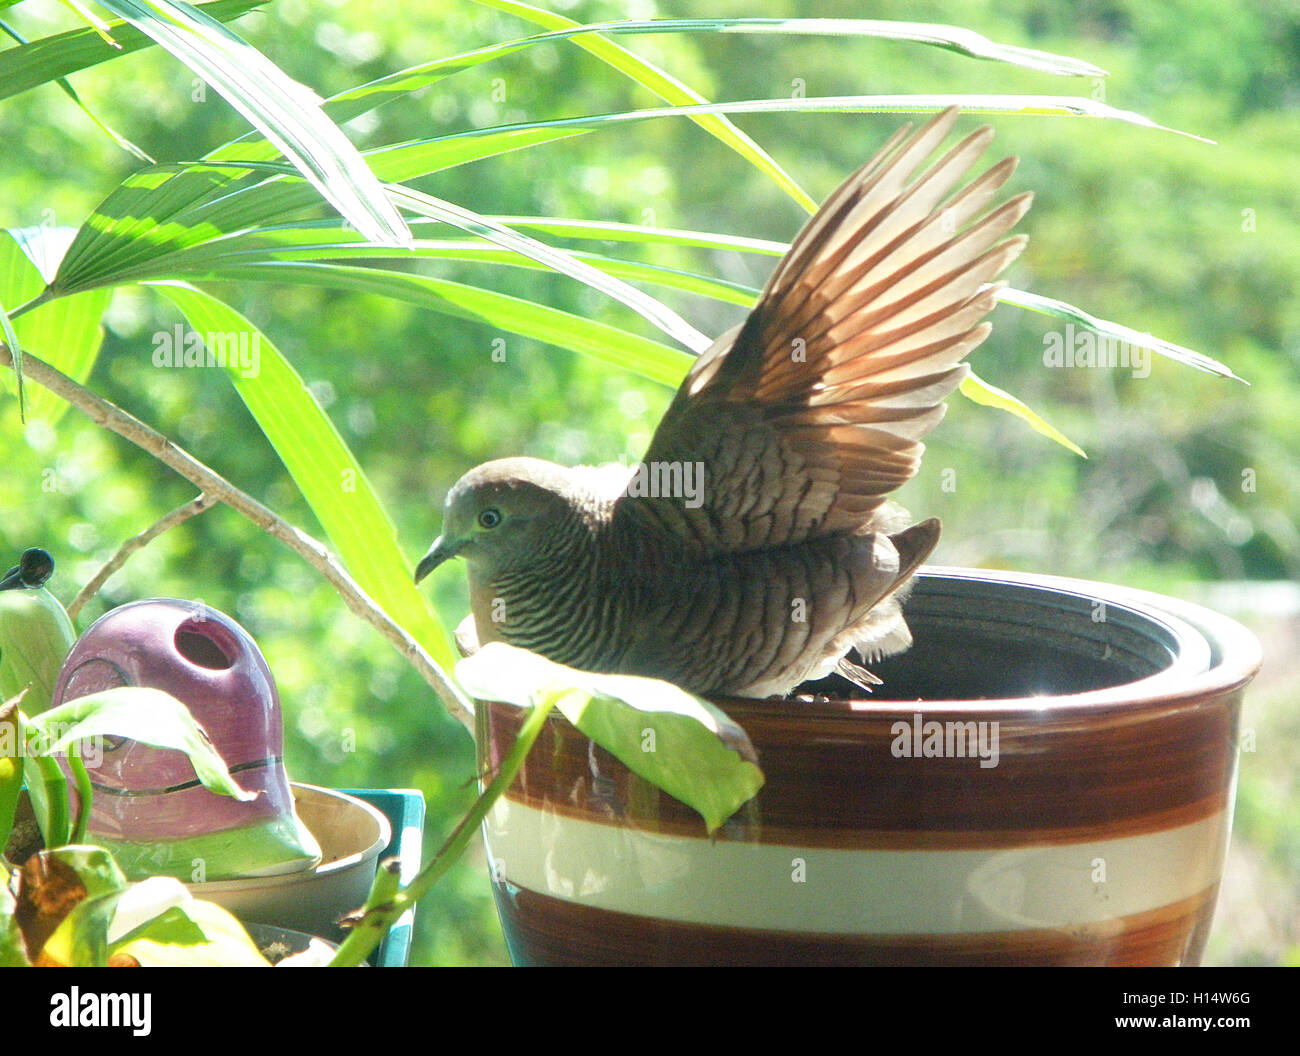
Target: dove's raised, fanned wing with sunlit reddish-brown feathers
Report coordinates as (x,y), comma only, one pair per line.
(811,413)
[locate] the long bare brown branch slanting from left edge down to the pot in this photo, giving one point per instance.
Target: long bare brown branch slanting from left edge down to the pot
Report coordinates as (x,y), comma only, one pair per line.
(315,553)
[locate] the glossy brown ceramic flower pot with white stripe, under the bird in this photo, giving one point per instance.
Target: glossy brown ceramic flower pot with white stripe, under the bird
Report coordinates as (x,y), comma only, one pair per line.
(1047,777)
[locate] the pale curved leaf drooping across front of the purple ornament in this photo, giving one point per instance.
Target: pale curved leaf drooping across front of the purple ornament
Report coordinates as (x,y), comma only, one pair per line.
(146,716)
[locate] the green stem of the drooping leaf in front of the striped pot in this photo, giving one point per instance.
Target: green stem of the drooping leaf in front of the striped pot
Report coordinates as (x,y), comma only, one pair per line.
(380,917)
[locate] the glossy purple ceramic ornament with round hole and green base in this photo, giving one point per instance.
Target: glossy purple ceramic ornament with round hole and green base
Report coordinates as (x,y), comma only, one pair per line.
(150,798)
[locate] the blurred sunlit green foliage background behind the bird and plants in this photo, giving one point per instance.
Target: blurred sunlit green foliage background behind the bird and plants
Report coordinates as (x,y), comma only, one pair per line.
(1193,484)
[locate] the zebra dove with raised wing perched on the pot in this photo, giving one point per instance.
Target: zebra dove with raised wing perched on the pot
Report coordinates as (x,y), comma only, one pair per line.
(753,548)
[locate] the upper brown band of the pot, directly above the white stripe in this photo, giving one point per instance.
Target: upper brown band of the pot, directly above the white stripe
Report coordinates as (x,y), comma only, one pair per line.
(1171,768)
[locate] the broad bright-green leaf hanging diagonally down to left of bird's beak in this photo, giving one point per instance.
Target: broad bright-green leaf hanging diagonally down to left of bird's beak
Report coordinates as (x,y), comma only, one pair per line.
(322,466)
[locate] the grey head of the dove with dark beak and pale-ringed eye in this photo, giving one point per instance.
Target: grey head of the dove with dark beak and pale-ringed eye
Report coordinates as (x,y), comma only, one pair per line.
(501,514)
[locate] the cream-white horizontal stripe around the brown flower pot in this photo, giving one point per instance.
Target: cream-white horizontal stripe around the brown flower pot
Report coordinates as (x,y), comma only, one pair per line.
(820,890)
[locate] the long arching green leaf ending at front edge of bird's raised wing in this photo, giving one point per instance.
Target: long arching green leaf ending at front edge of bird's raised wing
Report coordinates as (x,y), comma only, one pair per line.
(609,344)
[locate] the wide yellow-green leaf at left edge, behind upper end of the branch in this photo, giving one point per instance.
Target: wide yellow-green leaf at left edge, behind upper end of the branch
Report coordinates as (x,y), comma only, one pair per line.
(67,332)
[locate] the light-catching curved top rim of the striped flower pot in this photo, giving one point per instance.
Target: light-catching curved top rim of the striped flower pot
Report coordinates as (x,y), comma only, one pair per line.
(1234,659)
